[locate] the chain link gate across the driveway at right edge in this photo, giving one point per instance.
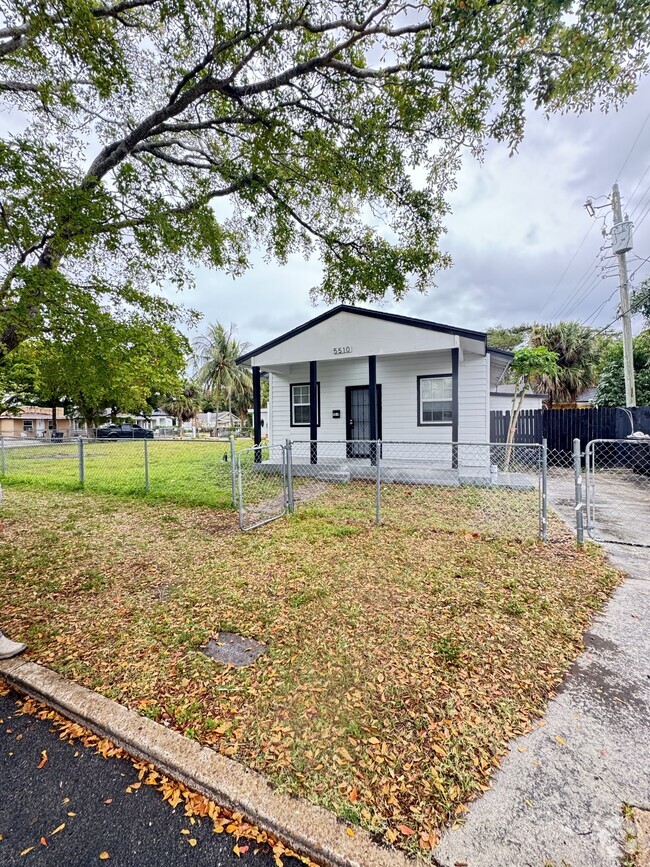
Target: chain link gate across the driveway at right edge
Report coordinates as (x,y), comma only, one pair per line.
(618,491)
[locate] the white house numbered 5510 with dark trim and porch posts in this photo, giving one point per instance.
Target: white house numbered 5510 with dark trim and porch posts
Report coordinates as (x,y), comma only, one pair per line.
(353,374)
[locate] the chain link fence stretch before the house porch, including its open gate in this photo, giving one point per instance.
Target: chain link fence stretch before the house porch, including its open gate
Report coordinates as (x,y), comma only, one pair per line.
(477,487)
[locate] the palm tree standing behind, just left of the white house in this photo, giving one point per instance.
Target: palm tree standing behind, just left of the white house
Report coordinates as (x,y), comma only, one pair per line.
(216,353)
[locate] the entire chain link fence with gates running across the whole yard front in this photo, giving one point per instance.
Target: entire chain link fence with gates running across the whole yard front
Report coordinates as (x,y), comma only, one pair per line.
(604,493)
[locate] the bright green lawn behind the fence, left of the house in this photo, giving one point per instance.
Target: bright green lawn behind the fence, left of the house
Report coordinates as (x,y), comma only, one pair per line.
(191,472)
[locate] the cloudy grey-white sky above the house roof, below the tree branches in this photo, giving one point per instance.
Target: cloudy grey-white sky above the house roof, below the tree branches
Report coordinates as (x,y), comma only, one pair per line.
(515,226)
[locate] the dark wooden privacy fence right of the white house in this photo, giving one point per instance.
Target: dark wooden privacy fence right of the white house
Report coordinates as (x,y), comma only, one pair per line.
(561,426)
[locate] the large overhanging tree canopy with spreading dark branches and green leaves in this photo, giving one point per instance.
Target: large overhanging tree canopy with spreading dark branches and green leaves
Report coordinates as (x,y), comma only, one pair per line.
(305,121)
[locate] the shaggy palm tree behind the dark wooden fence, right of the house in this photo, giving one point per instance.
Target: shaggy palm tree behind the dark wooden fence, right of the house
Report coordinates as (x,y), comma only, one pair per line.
(577,353)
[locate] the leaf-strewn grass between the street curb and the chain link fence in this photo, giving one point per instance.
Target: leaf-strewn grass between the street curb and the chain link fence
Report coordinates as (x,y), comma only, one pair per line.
(401,660)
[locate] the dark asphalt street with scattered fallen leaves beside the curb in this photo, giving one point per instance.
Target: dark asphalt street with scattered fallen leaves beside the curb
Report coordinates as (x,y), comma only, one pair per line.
(74,809)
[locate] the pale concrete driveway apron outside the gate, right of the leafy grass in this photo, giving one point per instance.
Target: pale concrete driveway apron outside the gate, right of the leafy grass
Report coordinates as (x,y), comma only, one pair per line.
(558,798)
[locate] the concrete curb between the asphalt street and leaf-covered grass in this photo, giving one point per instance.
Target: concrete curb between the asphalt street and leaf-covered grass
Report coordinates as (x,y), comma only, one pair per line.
(307,829)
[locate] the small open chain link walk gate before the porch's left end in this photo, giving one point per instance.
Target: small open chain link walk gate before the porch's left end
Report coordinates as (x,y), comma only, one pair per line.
(261,485)
